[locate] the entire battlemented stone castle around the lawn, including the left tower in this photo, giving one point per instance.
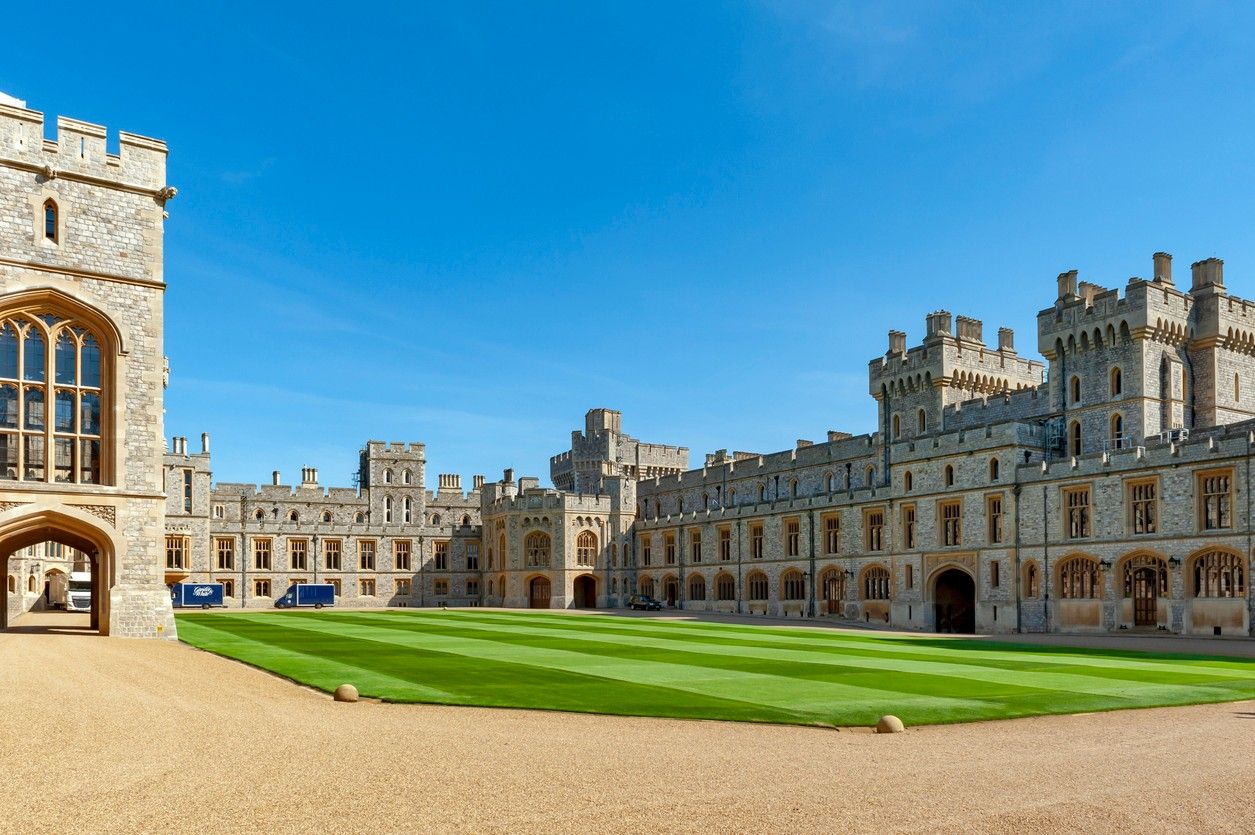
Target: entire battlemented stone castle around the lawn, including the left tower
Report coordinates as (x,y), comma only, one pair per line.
(1108,489)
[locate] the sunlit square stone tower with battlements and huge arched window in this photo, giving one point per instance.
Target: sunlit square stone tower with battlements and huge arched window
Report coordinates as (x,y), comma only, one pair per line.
(82,367)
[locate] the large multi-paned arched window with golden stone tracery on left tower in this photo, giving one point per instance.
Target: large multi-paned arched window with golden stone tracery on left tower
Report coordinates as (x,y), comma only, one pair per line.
(52,400)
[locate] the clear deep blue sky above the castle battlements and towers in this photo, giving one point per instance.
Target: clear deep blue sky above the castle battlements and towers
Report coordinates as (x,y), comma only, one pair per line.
(466,224)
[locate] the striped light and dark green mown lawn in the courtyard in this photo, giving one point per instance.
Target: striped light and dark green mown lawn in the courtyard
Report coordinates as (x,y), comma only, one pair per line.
(681,669)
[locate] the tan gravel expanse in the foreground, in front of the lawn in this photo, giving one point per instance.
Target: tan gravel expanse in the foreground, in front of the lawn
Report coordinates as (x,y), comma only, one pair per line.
(151,736)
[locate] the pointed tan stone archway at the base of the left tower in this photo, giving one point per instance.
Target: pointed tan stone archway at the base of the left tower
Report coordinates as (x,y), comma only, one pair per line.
(81,536)
